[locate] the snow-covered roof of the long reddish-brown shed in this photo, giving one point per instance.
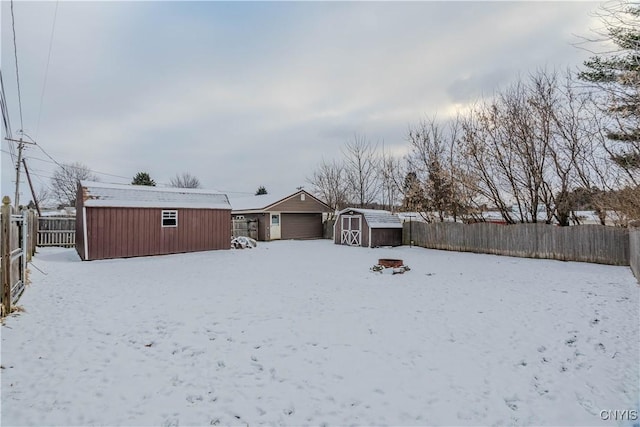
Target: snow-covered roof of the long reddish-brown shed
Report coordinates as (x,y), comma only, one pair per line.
(98,194)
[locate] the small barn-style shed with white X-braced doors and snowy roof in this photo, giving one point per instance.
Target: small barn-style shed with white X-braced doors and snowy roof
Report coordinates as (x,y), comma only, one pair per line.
(367,228)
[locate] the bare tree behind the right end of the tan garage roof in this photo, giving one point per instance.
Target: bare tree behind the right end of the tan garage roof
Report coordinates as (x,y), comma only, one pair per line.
(329,184)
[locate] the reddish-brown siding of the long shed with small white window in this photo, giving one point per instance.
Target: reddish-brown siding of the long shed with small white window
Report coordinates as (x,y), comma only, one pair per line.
(130,232)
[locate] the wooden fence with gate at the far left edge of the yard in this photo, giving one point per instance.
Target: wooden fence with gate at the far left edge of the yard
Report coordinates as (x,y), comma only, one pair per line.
(17,246)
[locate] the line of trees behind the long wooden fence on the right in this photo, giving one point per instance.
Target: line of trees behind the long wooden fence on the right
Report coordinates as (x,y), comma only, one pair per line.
(548,145)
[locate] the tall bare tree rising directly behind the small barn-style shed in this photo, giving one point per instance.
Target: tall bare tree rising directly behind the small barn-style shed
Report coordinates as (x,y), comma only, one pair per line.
(361,167)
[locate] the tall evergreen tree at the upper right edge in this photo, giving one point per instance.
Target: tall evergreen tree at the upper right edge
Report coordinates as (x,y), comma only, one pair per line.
(617,75)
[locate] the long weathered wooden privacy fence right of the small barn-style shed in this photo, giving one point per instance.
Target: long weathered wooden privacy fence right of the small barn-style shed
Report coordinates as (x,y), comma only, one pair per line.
(586,243)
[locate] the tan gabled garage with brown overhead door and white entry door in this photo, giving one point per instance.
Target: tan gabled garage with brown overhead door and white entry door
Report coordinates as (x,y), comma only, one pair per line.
(293,216)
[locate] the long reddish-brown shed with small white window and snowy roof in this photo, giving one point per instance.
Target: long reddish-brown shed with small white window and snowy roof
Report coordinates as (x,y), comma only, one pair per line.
(121,221)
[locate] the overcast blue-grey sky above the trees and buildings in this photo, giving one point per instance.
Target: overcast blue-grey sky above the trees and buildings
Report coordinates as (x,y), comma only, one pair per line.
(248,94)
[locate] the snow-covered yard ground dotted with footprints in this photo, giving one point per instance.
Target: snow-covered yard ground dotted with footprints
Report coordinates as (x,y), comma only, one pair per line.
(299,333)
